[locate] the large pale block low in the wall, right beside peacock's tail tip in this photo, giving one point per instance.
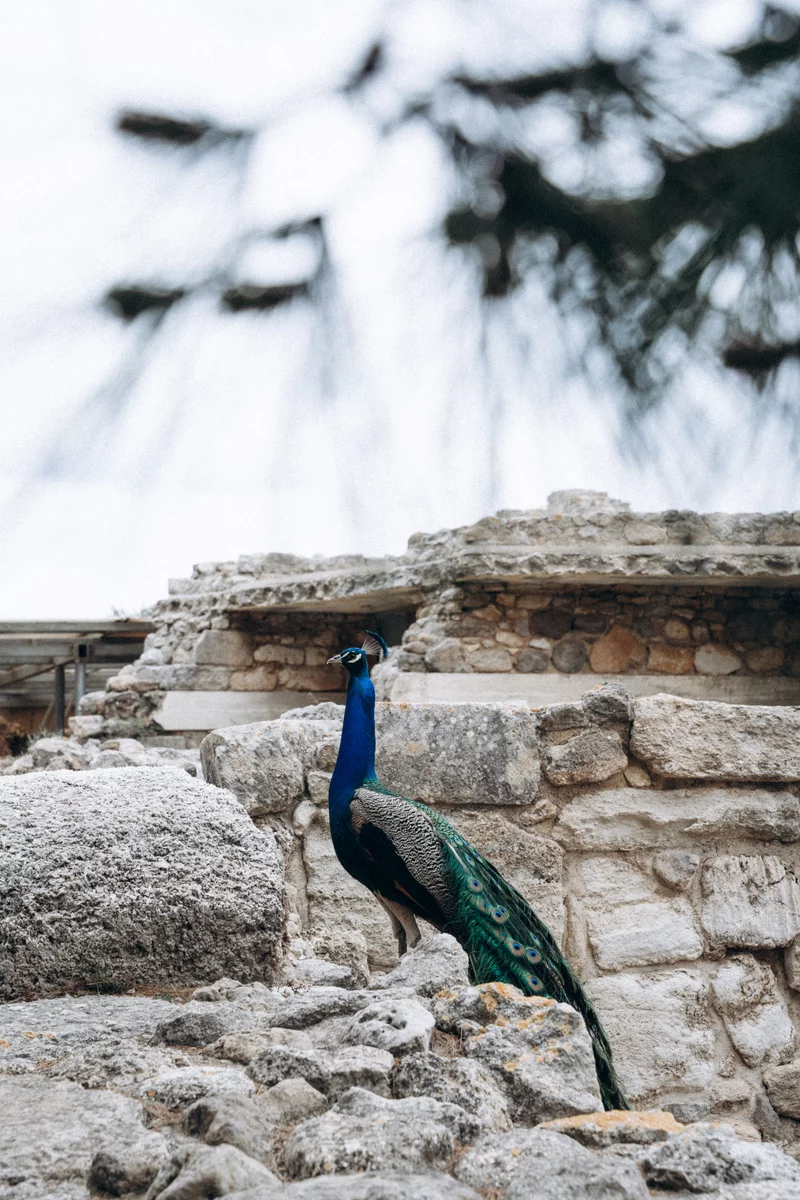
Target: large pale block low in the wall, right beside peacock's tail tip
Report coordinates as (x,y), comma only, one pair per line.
(659,1027)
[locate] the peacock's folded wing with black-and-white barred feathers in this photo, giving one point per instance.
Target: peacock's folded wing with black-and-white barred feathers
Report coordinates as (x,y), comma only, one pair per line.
(406,848)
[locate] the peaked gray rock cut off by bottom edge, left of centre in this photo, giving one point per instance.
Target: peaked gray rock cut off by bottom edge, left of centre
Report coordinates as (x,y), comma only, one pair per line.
(200,1172)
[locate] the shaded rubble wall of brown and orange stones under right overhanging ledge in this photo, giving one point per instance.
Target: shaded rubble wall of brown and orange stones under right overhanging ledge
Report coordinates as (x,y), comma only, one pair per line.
(621,631)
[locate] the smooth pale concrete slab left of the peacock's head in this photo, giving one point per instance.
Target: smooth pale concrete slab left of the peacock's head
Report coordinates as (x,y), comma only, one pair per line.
(216,710)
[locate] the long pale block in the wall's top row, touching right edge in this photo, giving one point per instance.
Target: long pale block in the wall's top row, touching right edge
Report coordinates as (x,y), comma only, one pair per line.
(706,740)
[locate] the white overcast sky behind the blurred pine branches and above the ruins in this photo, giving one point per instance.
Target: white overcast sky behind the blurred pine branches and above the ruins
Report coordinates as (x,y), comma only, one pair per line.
(346,428)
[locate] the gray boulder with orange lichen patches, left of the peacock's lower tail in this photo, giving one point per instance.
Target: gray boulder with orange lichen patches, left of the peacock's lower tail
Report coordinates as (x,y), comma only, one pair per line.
(538,1051)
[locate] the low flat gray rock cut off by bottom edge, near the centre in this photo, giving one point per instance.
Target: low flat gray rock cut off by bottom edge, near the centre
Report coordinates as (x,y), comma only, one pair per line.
(372,1186)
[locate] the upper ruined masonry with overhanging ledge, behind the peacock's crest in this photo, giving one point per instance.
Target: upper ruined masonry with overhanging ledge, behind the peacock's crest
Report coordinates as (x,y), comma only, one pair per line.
(681,602)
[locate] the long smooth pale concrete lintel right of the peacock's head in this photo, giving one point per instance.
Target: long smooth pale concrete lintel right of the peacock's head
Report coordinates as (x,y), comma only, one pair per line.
(540,691)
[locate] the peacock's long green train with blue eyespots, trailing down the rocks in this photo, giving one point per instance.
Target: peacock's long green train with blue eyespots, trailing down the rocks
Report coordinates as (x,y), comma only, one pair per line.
(507,943)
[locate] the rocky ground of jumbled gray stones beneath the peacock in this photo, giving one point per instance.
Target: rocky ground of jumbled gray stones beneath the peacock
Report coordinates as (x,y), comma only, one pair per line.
(412,1084)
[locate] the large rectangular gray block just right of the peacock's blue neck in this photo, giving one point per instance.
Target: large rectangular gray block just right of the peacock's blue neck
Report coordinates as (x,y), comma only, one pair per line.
(459,754)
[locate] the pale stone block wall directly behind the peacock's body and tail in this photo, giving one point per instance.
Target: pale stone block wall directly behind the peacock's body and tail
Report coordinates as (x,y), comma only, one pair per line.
(658,838)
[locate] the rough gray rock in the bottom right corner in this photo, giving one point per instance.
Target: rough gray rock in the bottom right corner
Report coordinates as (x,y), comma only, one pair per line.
(705,1159)
